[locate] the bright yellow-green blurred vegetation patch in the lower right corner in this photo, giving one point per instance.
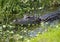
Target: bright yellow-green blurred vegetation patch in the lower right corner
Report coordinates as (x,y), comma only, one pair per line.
(53,35)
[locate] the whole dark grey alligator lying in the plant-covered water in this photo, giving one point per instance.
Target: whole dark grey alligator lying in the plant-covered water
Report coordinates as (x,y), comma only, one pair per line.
(36,20)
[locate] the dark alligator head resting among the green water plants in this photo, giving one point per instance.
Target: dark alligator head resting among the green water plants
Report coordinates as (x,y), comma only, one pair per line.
(27,20)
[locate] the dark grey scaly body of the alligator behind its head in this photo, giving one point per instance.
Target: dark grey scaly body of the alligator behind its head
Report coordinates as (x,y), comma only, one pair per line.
(50,17)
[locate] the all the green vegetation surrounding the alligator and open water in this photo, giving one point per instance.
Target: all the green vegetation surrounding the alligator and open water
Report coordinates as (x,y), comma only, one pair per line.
(12,9)
